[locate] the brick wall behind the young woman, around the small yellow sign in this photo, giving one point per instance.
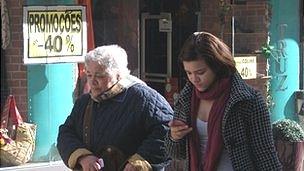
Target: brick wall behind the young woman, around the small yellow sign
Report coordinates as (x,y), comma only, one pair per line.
(251,21)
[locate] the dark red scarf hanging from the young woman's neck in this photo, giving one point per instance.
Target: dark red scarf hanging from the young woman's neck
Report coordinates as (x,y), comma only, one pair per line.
(220,94)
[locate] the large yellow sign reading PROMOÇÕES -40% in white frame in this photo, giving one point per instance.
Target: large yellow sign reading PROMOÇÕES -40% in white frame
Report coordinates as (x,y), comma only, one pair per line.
(54,34)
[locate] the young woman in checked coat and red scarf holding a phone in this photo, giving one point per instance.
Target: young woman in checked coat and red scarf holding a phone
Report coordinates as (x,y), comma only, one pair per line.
(220,122)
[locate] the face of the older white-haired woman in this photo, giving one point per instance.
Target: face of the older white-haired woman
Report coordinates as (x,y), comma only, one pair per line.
(98,78)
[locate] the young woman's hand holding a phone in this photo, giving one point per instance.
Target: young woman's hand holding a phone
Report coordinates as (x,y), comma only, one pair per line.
(178,129)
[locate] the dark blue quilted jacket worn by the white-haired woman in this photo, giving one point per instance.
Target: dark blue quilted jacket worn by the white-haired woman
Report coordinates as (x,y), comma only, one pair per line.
(135,121)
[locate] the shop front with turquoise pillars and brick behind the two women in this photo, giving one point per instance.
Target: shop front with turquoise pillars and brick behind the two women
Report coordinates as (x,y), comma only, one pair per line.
(152,32)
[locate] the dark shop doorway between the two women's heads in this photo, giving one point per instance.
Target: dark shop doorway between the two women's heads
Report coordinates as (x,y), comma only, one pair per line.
(161,37)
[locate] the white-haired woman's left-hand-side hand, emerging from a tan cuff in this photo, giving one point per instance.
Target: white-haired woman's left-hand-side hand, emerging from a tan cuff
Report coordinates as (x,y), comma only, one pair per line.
(89,163)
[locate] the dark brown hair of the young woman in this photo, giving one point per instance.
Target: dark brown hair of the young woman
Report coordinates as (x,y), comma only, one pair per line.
(216,54)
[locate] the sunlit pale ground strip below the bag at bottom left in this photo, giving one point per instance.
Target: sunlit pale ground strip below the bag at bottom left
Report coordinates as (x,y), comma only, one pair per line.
(43,166)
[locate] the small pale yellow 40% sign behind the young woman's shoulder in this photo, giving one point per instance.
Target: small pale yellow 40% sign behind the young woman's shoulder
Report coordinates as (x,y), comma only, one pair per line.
(246,66)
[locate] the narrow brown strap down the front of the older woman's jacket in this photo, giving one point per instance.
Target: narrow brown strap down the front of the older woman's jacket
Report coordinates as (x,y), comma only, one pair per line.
(87,122)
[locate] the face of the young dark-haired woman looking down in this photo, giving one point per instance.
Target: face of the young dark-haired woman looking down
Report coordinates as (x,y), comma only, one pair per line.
(199,74)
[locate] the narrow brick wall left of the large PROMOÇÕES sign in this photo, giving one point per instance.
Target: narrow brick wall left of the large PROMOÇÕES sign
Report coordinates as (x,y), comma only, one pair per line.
(16,70)
